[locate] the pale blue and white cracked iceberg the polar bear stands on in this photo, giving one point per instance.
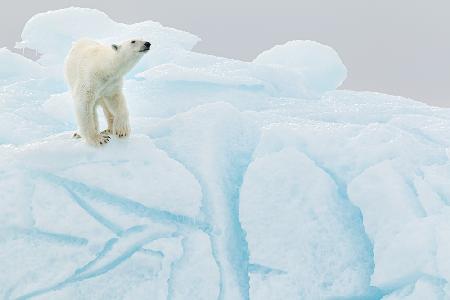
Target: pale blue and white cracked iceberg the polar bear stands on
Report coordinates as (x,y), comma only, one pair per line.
(242,180)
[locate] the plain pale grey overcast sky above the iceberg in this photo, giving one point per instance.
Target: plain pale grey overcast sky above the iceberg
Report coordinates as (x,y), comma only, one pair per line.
(400,47)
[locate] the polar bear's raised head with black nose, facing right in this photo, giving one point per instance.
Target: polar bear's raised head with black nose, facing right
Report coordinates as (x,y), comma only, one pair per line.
(129,53)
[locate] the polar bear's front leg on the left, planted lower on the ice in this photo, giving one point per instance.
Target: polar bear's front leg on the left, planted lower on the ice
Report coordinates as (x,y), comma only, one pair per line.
(87,121)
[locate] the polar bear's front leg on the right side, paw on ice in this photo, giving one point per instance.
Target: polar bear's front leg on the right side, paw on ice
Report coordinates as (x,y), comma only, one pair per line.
(118,107)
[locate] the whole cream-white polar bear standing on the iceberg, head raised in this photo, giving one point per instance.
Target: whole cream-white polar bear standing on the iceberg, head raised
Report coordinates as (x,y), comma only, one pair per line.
(95,73)
